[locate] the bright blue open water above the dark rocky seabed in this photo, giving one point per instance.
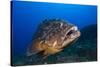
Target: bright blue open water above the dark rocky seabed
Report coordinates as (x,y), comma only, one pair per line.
(27,15)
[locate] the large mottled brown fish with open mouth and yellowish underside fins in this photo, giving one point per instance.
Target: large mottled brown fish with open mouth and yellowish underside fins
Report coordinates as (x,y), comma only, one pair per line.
(52,35)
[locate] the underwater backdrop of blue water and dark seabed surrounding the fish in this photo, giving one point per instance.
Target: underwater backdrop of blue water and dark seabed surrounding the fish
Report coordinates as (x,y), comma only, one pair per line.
(25,18)
